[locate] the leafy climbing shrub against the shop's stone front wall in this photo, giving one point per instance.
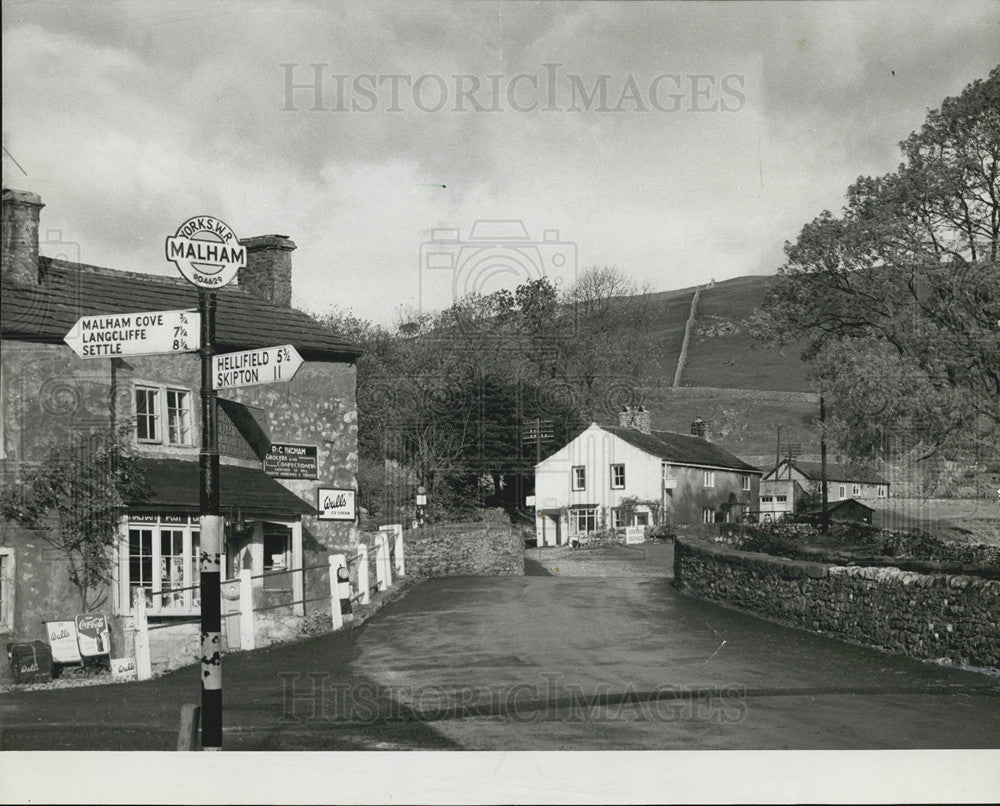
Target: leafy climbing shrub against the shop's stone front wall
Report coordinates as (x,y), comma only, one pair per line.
(75,497)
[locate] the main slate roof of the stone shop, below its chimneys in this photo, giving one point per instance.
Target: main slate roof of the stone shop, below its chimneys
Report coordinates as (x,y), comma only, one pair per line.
(243,321)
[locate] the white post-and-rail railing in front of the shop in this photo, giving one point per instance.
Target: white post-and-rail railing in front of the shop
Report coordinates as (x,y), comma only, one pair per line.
(389,564)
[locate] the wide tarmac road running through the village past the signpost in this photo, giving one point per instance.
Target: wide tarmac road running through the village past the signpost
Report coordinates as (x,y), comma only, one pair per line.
(543,662)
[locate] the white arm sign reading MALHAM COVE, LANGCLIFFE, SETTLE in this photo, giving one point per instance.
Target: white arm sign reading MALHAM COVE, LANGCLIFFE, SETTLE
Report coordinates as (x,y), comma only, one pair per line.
(150,333)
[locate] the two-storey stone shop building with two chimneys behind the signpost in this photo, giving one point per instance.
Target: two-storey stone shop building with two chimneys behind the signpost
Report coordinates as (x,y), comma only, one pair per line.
(49,395)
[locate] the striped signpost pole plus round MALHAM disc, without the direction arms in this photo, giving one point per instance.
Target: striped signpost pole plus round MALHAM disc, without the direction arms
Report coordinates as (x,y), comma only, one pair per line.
(209,255)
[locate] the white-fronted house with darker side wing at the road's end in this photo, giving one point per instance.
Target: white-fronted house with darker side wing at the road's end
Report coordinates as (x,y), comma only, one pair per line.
(609,477)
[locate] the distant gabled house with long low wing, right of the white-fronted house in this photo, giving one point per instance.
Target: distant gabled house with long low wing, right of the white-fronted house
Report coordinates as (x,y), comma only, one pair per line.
(793,485)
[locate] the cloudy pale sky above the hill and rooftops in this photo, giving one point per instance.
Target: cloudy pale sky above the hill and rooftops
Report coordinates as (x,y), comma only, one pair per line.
(678,141)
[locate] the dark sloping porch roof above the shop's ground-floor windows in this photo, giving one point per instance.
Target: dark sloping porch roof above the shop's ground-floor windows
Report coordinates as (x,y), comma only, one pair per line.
(174,487)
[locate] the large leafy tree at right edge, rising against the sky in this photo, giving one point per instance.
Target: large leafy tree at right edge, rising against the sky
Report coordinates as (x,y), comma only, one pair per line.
(898,298)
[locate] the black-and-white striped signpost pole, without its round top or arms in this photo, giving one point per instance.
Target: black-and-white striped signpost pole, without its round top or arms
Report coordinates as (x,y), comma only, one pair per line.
(211,537)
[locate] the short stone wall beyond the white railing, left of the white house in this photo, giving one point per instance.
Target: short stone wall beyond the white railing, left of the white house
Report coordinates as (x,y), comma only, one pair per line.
(464,549)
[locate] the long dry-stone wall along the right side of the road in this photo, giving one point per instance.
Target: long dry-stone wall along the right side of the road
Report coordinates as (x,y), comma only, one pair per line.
(928,616)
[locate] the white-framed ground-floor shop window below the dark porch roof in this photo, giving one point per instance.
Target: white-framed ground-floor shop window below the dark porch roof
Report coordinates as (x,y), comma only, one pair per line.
(162,561)
